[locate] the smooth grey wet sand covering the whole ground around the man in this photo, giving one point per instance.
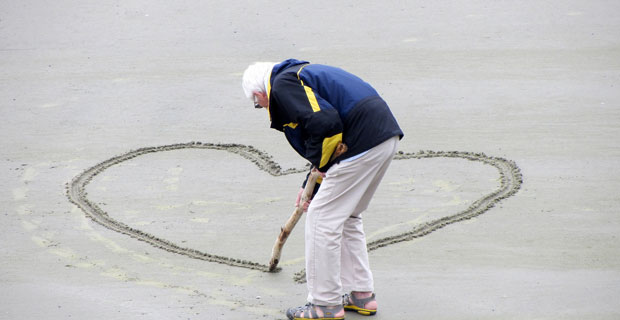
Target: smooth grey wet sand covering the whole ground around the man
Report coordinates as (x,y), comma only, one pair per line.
(141,184)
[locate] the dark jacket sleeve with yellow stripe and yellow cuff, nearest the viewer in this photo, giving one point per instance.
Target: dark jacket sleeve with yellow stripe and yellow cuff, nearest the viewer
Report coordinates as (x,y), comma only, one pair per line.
(319,120)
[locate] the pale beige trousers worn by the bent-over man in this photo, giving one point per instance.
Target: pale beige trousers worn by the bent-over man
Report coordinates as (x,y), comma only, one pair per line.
(336,254)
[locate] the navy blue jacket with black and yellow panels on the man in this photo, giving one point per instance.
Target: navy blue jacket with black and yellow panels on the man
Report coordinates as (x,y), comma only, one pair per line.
(318,106)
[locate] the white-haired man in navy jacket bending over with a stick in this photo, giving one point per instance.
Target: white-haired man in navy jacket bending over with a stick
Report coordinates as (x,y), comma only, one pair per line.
(318,108)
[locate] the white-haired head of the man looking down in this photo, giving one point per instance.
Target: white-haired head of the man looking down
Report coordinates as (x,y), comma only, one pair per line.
(254,83)
